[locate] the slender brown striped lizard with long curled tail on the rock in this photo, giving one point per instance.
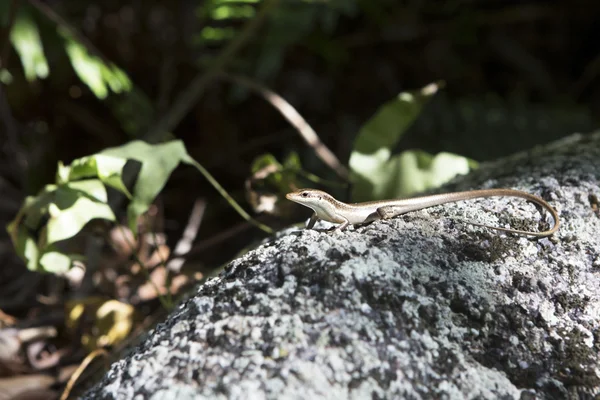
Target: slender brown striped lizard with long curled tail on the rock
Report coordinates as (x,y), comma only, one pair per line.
(327,208)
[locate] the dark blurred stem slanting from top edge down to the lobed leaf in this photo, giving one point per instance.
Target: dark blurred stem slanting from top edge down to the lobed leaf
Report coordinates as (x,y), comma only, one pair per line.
(186,100)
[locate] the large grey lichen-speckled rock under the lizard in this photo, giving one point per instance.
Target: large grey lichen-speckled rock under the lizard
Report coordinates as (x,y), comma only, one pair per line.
(418,307)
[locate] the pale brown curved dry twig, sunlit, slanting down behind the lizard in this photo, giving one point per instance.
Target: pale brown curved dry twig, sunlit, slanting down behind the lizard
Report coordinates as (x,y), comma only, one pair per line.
(295,119)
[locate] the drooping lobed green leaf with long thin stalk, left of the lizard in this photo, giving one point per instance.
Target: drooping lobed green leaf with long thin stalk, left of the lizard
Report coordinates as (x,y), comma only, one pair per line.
(61,211)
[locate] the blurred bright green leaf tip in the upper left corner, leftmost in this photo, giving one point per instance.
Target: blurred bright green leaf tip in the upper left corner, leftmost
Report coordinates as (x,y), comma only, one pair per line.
(25,37)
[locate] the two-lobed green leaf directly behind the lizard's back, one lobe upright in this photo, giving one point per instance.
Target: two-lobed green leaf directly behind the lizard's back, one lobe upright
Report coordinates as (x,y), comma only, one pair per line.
(378,174)
